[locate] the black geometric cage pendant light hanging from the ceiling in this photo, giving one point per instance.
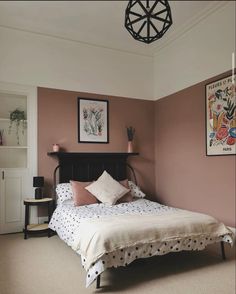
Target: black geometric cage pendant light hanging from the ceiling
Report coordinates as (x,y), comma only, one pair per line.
(147,21)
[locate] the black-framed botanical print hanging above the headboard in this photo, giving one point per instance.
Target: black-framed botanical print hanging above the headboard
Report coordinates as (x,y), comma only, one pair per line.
(93,120)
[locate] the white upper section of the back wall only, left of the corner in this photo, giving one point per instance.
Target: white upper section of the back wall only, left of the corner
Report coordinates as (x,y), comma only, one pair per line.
(33,59)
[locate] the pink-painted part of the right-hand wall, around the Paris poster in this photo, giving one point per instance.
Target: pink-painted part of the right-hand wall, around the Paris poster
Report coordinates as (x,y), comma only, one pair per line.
(185,176)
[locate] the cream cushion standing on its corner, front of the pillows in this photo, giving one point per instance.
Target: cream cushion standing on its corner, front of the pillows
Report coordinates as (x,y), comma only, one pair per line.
(106,189)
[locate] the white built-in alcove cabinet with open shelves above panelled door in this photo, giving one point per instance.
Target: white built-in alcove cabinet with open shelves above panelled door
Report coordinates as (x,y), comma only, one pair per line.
(18,153)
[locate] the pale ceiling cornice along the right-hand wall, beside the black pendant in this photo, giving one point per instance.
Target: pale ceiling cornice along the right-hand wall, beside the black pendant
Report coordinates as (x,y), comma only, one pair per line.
(211,8)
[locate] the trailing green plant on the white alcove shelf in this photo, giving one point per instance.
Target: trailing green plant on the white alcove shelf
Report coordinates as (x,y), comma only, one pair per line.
(18,117)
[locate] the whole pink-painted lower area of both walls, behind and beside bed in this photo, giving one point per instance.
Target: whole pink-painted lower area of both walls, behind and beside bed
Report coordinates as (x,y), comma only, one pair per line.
(170,137)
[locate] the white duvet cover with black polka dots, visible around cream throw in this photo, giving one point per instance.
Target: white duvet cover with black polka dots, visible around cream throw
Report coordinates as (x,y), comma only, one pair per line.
(66,219)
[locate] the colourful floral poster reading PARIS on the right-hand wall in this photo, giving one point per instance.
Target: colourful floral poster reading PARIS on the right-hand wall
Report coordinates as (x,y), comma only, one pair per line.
(221,117)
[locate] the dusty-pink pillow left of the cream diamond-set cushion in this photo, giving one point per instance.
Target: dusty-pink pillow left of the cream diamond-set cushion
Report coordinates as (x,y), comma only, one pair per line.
(80,195)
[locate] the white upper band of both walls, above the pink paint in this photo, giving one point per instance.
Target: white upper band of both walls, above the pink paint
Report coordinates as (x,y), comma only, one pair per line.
(200,53)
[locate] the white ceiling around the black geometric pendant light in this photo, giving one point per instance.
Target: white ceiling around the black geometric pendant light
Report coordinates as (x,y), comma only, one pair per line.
(99,23)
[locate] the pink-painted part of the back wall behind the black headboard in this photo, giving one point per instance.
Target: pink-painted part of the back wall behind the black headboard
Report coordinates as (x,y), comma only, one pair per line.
(57,123)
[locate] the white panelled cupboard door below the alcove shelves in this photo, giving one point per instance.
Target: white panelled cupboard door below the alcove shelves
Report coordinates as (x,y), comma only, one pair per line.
(11,201)
